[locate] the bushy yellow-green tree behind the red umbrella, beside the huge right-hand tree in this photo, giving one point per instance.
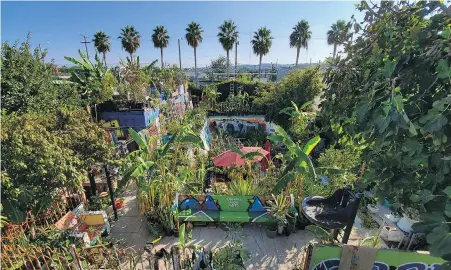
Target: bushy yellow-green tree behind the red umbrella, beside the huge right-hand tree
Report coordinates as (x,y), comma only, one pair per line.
(299,87)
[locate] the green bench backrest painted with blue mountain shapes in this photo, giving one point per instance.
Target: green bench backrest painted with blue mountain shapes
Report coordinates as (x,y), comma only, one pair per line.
(224,208)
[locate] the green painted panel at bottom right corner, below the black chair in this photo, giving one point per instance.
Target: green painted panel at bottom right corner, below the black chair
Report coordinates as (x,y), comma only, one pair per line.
(328,258)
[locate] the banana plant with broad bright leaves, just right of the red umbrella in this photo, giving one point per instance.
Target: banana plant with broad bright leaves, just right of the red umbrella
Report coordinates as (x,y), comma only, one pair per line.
(297,158)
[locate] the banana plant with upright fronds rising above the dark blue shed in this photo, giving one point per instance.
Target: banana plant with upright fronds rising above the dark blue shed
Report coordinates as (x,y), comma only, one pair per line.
(95,82)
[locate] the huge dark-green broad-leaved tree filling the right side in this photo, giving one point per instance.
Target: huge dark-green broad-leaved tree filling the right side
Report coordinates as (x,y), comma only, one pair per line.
(392,93)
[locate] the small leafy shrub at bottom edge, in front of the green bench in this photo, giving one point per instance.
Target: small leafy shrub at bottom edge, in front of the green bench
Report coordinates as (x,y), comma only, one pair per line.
(231,256)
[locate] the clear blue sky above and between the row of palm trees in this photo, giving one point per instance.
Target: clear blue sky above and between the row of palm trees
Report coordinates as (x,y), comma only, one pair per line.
(58,26)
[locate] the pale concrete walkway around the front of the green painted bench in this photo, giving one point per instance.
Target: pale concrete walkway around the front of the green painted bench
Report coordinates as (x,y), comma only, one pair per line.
(265,253)
